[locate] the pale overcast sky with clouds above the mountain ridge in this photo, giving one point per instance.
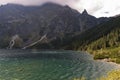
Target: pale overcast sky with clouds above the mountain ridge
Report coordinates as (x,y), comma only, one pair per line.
(98,8)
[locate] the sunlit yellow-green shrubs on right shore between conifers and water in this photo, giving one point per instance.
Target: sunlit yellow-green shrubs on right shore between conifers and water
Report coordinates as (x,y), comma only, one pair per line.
(110,54)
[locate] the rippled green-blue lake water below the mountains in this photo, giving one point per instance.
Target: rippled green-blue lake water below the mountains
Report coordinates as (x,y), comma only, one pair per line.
(50,65)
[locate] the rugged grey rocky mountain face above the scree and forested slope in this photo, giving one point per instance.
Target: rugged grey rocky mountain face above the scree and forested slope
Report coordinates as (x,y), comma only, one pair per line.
(32,22)
